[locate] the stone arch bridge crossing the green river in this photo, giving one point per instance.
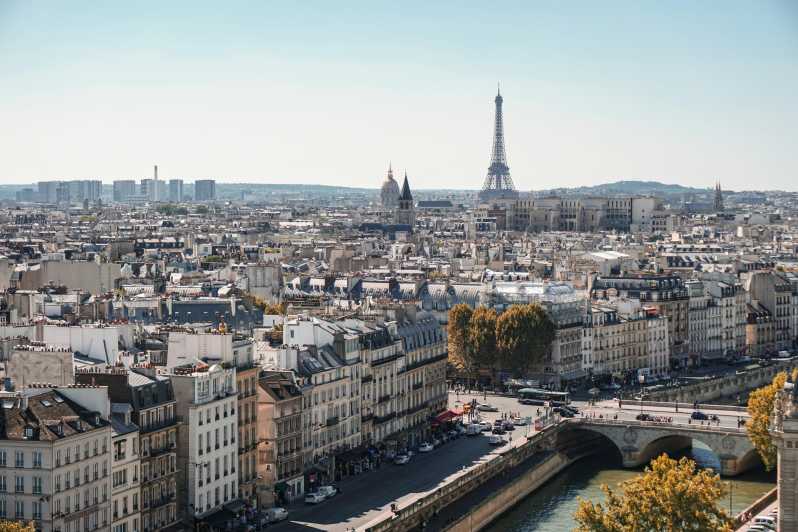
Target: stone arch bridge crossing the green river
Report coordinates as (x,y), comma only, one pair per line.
(640,441)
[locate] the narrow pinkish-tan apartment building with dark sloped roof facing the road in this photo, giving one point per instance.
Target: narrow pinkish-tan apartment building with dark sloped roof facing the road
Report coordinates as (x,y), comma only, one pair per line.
(281,462)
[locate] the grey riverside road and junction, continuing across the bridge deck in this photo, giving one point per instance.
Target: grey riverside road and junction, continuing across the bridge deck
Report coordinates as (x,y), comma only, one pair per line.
(367,497)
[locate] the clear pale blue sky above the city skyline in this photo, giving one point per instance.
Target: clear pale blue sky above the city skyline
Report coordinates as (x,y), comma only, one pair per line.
(329,92)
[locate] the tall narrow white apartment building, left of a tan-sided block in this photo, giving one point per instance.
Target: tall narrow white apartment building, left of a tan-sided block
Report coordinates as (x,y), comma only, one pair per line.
(208,450)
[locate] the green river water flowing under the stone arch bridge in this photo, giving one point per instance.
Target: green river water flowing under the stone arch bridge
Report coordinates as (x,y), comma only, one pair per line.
(552,507)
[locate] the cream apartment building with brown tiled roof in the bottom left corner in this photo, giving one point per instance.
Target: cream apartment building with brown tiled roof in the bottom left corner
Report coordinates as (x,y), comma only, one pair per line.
(55,459)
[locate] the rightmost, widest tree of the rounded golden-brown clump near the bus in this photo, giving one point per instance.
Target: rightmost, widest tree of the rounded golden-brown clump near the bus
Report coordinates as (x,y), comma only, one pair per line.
(524,334)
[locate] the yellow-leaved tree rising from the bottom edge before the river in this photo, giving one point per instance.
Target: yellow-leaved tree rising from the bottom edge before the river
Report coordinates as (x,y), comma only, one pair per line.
(668,496)
